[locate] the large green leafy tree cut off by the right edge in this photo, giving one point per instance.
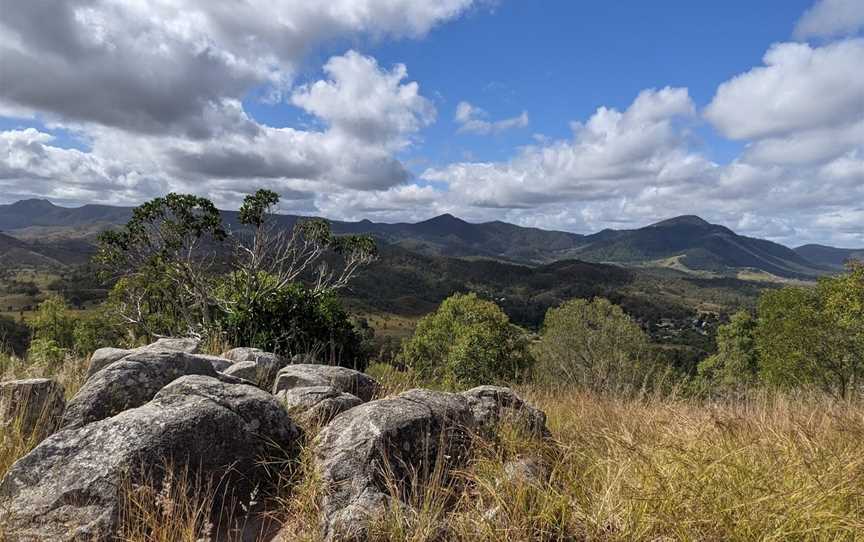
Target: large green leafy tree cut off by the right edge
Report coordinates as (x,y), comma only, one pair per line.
(815,336)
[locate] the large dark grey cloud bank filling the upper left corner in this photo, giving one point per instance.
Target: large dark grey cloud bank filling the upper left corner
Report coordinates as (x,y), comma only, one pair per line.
(158,66)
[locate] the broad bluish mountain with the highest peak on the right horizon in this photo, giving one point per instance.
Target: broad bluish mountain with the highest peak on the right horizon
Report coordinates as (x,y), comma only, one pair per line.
(691,243)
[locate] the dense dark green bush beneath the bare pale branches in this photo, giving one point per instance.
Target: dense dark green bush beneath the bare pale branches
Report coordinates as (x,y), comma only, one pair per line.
(290,319)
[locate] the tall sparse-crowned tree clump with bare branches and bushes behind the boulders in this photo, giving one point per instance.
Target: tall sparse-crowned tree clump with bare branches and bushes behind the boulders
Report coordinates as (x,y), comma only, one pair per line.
(180,273)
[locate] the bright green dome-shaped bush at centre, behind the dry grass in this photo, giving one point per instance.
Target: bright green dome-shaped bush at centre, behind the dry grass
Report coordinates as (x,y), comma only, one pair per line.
(468,341)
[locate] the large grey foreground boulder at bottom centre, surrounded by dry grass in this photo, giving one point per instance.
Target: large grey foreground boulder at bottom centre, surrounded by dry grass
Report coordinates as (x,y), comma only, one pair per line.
(403,435)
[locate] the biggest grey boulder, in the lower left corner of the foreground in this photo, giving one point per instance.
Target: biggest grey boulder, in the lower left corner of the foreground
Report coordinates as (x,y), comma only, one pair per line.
(70,486)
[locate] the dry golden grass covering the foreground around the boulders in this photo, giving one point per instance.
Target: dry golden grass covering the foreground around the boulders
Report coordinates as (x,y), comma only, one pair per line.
(767,467)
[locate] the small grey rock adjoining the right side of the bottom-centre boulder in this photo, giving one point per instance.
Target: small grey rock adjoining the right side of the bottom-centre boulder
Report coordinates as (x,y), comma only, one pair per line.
(492,404)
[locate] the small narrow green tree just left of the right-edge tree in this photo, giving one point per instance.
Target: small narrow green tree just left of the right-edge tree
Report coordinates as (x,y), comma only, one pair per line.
(736,363)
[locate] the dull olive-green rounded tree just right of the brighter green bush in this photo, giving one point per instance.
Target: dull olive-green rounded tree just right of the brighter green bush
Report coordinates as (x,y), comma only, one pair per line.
(593,345)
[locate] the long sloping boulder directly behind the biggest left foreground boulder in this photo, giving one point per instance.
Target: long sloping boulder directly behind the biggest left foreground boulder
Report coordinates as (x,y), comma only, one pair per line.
(129,383)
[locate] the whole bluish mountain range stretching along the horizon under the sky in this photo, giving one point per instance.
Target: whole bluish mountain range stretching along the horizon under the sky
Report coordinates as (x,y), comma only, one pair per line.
(39,231)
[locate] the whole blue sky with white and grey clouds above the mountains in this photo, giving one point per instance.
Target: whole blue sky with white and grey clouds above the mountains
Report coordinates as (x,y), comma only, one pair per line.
(565,115)
